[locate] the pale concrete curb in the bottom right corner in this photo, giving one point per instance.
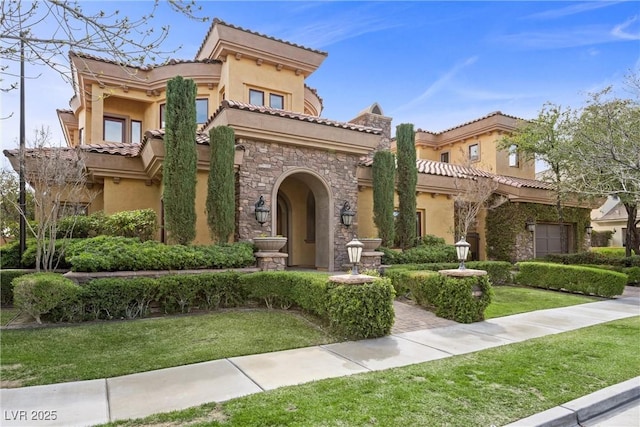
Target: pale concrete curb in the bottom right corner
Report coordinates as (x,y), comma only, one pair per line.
(582,409)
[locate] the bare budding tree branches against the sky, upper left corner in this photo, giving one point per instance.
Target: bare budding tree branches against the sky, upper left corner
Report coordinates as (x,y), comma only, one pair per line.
(104,33)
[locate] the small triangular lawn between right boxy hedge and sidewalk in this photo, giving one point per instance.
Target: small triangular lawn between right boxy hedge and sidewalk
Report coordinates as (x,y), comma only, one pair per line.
(510,300)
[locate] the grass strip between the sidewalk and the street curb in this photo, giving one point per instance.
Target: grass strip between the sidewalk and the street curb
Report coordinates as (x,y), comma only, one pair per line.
(491,387)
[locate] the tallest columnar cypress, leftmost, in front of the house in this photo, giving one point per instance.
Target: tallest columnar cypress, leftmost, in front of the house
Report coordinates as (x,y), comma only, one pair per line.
(179,169)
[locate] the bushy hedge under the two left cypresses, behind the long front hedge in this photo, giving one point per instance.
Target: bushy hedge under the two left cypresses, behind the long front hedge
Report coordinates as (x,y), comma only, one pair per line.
(129,254)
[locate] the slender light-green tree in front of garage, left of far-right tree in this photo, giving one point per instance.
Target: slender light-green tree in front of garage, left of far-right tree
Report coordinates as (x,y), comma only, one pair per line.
(548,138)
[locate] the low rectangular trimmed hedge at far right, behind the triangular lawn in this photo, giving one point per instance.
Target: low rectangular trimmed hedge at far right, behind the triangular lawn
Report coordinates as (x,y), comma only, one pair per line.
(573,278)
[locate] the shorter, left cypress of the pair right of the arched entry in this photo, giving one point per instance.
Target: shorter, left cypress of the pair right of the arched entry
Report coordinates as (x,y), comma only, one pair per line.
(384,169)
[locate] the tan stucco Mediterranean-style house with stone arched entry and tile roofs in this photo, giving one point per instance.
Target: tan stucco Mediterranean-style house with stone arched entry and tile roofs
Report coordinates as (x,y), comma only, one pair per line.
(305,167)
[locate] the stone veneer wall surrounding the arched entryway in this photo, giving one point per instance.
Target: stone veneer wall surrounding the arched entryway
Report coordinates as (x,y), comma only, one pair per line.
(265,162)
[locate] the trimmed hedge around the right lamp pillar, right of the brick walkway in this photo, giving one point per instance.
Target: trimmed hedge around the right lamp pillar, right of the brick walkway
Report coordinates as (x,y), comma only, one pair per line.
(451,298)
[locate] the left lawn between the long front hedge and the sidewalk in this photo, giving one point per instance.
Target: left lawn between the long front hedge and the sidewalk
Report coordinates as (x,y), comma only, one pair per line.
(99,350)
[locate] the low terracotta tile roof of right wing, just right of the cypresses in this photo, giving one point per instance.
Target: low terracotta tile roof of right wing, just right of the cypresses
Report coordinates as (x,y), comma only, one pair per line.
(430,167)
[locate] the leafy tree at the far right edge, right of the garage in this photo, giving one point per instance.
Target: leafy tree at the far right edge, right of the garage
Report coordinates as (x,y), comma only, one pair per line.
(606,155)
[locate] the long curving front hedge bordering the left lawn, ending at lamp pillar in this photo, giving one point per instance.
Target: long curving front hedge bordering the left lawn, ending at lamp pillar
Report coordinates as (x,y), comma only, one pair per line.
(353,311)
